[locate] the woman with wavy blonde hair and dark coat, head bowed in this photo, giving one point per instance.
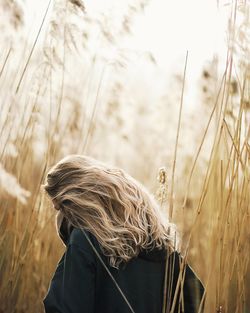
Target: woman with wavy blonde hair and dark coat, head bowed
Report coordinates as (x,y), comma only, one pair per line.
(120,251)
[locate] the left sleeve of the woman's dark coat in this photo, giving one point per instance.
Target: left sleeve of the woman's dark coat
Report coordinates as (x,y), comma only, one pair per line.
(72,288)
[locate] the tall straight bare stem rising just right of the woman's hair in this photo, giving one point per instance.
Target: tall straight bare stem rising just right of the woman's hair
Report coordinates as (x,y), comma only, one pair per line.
(176,142)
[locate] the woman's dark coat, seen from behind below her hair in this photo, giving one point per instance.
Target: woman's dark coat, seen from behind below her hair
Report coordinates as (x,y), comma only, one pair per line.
(81,284)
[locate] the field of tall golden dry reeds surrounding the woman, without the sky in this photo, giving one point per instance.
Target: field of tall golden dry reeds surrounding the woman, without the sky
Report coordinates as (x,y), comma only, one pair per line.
(67,86)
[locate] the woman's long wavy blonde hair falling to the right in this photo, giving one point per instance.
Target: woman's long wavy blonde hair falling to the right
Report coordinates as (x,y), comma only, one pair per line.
(105,200)
